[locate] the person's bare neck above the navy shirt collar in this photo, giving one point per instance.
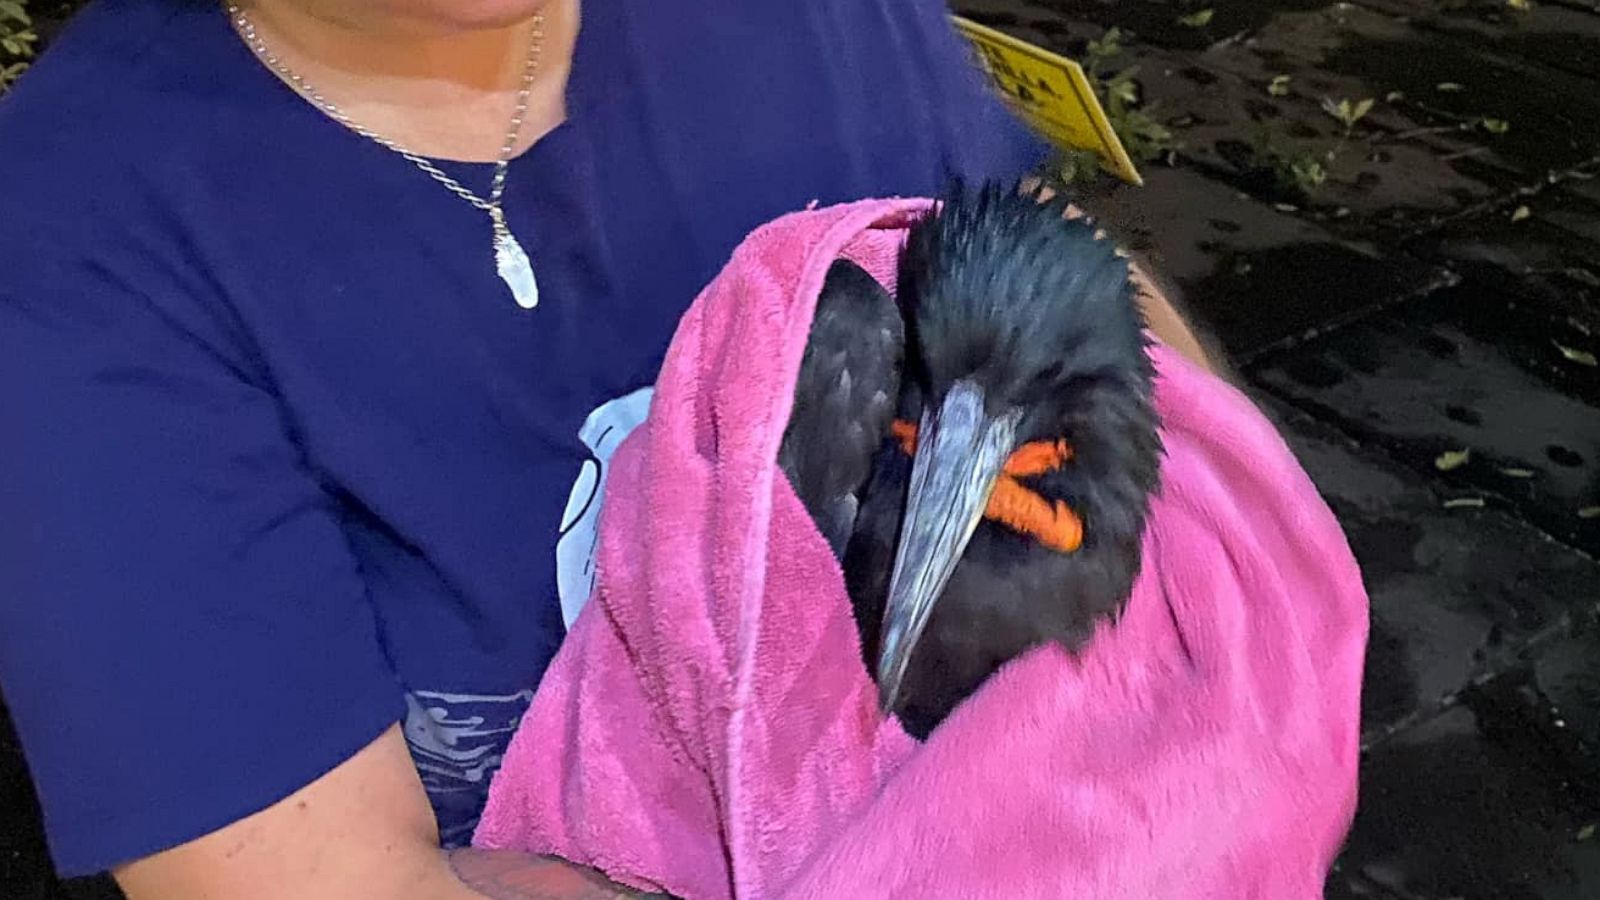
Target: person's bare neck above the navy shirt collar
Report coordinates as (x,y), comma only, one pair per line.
(447,95)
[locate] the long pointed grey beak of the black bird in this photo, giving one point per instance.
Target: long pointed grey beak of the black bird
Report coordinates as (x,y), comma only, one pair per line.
(961,454)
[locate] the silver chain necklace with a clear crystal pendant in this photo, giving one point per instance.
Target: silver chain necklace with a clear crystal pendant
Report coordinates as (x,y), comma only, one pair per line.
(511,260)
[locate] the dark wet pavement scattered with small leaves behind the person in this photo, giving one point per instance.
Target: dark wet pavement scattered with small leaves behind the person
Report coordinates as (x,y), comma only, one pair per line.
(1415,299)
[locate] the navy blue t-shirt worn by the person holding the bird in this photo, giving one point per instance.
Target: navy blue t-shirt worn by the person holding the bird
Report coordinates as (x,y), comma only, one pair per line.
(284,465)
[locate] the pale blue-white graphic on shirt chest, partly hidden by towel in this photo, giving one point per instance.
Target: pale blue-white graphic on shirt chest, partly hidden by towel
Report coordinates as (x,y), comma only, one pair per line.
(575,552)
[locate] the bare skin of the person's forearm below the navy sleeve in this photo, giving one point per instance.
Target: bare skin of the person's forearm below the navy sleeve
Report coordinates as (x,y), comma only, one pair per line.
(362,830)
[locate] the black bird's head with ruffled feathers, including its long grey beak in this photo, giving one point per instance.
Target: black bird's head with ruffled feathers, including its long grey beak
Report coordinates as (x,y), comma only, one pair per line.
(1023,331)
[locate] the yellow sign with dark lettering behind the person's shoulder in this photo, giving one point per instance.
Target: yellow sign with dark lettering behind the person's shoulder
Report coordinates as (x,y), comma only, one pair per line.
(1052,94)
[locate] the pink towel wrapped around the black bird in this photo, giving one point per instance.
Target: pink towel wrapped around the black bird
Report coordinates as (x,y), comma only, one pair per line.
(710,728)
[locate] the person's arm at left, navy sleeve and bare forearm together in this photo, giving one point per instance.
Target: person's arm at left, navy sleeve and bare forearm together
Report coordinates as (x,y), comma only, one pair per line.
(186,640)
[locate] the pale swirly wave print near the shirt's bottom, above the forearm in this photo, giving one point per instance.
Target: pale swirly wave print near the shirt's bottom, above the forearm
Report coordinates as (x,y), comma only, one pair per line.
(458,742)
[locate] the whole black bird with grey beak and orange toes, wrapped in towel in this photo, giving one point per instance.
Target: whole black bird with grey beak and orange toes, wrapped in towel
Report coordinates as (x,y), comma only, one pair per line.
(1017,331)
